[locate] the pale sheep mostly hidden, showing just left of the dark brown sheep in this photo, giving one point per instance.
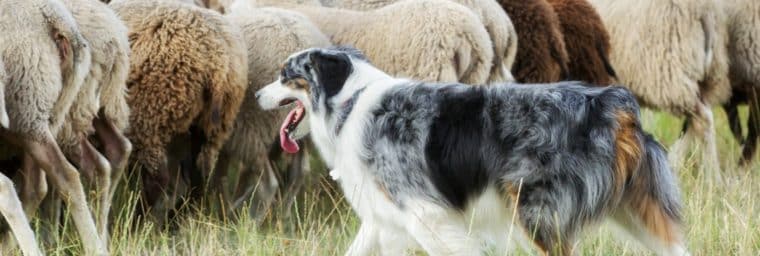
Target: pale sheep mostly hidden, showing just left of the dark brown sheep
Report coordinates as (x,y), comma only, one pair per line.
(497,23)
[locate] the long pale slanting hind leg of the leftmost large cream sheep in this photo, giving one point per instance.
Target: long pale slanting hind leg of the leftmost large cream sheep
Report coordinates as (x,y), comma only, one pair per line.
(65,177)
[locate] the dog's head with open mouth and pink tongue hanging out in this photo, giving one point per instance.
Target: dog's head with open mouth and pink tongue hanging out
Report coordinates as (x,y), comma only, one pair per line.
(309,79)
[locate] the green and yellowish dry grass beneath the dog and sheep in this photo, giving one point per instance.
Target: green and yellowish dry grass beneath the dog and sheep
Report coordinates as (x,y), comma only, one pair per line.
(719,219)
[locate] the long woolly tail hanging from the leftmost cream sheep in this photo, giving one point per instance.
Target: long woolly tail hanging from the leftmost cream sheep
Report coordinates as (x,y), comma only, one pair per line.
(74,54)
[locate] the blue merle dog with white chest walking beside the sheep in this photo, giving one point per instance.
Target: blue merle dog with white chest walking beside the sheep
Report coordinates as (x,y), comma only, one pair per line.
(442,167)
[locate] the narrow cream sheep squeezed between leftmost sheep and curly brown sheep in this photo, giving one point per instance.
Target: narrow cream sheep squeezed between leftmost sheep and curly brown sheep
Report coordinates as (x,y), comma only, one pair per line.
(104,84)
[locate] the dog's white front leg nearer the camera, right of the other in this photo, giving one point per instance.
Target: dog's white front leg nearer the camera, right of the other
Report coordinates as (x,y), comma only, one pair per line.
(440,231)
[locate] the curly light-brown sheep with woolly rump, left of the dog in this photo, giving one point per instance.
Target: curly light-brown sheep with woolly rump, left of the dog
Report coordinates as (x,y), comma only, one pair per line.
(187,77)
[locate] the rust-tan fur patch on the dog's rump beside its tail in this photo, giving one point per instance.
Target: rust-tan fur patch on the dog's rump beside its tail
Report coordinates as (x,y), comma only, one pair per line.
(627,150)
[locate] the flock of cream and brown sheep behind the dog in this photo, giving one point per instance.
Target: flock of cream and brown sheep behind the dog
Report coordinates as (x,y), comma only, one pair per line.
(92,88)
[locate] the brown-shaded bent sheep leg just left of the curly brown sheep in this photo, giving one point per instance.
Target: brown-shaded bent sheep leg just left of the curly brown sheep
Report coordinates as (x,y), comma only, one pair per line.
(117,149)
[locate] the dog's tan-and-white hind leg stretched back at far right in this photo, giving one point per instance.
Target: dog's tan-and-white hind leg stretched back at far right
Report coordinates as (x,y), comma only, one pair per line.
(648,224)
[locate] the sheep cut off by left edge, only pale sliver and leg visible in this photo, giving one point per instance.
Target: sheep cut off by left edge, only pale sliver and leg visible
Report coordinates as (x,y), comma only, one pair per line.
(10,205)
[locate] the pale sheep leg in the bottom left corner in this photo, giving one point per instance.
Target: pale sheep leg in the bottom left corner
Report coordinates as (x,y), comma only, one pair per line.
(10,207)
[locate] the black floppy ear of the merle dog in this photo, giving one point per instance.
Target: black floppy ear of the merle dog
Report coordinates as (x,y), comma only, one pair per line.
(332,70)
